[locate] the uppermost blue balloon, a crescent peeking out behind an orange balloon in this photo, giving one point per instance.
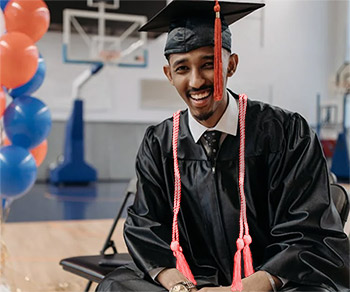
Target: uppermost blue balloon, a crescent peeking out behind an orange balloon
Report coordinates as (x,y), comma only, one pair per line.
(33,84)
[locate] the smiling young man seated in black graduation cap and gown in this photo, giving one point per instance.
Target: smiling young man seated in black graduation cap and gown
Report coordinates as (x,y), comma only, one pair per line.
(225,178)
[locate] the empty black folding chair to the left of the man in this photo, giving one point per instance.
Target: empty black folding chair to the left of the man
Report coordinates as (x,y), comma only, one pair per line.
(95,267)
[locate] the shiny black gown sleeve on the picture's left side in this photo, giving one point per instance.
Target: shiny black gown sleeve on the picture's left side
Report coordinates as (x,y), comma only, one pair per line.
(147,230)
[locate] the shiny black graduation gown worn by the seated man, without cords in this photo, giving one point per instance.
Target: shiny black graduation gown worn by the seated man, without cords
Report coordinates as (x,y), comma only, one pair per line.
(297,233)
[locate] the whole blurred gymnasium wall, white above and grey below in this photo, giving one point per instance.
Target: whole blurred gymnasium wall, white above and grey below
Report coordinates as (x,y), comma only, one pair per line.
(288,53)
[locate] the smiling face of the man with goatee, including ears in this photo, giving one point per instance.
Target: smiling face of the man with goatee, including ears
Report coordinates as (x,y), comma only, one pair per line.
(192,74)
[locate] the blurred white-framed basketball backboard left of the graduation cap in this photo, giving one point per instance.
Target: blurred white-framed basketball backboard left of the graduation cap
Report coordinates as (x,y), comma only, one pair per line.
(99,36)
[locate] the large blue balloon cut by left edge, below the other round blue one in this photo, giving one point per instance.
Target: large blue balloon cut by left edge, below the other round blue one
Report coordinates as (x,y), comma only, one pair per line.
(17,171)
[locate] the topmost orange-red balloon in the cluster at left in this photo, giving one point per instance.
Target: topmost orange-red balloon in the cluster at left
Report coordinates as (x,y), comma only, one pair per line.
(31,17)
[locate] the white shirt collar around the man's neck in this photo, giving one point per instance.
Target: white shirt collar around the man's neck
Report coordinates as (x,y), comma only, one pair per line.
(227,123)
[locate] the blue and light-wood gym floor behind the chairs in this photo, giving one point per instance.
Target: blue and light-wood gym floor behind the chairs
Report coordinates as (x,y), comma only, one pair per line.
(51,223)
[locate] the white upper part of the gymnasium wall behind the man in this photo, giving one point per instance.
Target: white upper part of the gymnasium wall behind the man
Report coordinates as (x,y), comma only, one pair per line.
(302,47)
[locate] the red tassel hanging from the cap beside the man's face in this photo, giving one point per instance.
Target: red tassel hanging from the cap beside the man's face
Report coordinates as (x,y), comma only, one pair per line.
(217,55)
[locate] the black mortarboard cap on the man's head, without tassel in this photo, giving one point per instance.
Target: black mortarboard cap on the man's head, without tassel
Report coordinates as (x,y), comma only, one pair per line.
(190,23)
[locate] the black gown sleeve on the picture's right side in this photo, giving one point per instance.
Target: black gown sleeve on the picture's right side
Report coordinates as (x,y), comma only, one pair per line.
(308,245)
